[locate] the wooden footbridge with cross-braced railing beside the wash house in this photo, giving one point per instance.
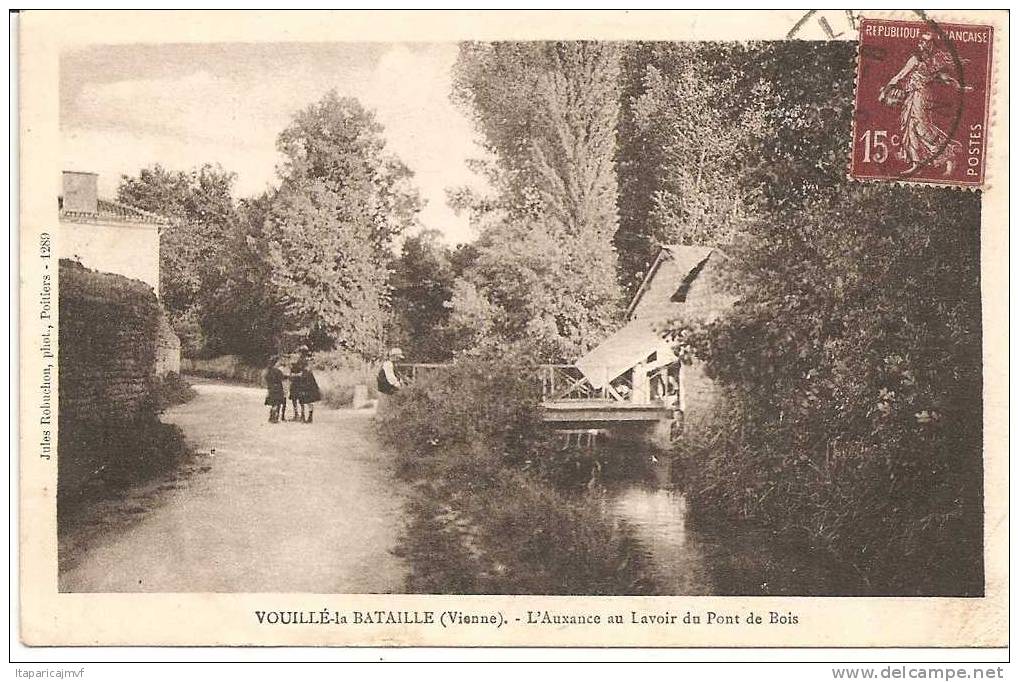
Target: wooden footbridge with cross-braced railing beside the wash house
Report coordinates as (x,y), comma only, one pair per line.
(568,397)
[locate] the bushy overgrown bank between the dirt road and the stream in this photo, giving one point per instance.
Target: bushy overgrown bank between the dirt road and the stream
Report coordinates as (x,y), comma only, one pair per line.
(486,517)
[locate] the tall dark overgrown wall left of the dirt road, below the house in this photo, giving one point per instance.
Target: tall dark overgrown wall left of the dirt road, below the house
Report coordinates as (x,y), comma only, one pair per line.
(111,435)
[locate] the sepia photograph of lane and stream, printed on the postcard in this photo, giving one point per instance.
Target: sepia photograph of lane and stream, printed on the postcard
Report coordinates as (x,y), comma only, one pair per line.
(578,318)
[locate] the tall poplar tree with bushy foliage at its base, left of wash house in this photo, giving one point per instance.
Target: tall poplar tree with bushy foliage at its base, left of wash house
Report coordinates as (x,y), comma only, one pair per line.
(547,266)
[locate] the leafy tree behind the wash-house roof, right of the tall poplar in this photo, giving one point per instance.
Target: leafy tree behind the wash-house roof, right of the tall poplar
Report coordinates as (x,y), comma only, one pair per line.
(690,113)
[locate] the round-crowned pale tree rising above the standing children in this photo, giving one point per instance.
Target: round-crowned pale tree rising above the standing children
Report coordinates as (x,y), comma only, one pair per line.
(342,202)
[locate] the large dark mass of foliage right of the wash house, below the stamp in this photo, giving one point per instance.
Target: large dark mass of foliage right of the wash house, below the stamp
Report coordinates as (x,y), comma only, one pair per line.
(852,358)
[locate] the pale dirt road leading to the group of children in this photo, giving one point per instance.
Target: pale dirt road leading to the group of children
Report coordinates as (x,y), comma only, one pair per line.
(283,508)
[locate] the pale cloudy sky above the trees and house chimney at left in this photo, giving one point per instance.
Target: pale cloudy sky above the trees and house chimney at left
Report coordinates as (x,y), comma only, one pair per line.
(127,108)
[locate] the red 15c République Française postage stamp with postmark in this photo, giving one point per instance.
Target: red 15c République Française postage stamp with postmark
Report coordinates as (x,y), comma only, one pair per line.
(923,95)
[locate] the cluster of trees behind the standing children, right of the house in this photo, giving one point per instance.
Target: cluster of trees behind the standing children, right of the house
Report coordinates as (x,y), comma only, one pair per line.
(307,263)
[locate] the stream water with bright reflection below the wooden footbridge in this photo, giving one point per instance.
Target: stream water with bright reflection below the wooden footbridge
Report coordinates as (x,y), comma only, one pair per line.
(717,560)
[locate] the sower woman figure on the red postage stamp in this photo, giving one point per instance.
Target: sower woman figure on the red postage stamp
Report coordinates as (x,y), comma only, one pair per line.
(924,143)
